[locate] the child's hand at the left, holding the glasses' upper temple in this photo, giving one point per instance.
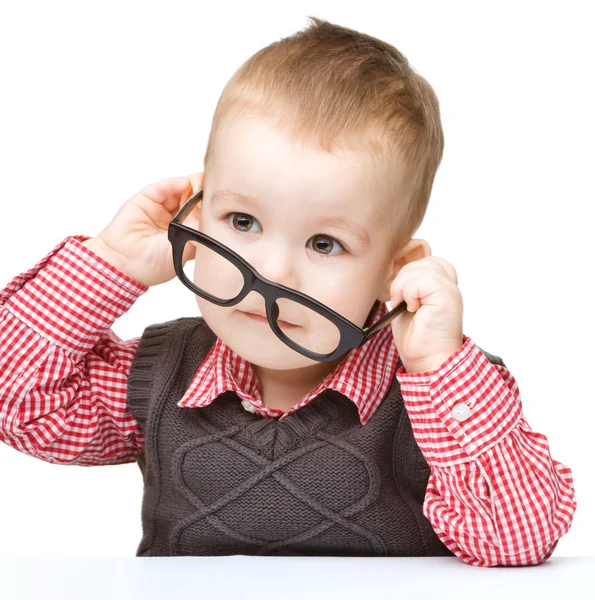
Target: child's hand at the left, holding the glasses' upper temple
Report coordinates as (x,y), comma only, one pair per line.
(136,242)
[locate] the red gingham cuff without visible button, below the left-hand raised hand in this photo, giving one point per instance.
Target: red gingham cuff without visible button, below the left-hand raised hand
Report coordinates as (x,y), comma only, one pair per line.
(71,296)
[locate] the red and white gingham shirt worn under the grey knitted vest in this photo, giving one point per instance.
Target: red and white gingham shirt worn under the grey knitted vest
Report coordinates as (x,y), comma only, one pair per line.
(494,497)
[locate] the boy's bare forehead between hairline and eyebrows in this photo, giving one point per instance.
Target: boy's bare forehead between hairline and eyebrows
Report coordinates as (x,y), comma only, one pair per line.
(254,158)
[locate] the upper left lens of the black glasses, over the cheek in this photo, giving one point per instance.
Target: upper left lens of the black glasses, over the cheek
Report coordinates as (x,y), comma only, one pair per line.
(215,274)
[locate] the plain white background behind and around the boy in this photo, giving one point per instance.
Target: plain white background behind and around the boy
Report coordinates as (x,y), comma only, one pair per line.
(100,99)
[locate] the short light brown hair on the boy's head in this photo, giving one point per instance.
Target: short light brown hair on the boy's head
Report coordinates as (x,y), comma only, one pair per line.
(328,85)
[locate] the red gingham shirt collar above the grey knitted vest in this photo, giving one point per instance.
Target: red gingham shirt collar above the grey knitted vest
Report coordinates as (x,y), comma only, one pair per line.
(363,376)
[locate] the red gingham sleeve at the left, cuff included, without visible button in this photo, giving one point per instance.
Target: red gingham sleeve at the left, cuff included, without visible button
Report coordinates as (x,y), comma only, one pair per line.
(63,371)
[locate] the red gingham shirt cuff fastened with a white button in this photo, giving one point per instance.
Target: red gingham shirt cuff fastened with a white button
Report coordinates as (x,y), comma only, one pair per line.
(461,409)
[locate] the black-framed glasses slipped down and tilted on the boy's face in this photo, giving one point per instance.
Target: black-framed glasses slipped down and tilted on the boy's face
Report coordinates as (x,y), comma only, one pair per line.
(348,335)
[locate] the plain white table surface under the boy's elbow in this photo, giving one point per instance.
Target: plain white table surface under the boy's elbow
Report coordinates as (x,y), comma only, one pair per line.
(281,577)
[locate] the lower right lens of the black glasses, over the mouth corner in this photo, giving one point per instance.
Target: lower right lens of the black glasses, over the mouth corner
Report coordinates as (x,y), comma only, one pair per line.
(307,328)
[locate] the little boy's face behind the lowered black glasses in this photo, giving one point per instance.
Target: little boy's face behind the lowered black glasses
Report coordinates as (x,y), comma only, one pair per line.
(284,236)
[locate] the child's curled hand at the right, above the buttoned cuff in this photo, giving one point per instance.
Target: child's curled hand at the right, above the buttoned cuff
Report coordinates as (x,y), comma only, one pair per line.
(431,329)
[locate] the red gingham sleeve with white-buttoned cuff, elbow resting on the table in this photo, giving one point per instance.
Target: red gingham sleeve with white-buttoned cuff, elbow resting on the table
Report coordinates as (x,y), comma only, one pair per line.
(495,496)
